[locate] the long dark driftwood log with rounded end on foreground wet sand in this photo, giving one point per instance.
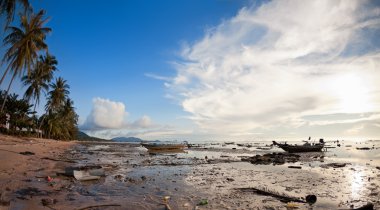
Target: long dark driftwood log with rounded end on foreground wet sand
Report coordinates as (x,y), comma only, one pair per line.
(281,197)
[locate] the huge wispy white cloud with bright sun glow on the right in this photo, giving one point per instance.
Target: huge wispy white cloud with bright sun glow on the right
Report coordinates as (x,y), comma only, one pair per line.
(268,67)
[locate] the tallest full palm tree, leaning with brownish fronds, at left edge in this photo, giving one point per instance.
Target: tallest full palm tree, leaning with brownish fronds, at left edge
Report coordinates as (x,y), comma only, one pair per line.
(25,43)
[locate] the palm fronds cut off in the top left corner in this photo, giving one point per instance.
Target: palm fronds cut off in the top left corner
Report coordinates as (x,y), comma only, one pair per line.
(8,8)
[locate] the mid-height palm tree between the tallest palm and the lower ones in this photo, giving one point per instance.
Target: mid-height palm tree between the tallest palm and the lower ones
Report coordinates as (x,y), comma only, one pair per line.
(39,78)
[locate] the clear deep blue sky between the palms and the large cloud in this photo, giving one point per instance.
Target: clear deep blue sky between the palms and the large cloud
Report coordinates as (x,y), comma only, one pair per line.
(104,50)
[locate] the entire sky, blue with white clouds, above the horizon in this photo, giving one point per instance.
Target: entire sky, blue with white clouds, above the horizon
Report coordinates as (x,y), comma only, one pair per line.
(221,69)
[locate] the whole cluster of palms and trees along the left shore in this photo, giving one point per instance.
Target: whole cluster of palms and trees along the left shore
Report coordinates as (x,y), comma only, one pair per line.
(27,58)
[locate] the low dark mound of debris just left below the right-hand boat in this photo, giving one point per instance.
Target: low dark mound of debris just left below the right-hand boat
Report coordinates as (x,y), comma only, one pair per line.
(272,158)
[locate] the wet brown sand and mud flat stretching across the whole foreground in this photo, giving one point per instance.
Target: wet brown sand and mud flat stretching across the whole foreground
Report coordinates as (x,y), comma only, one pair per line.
(135,179)
